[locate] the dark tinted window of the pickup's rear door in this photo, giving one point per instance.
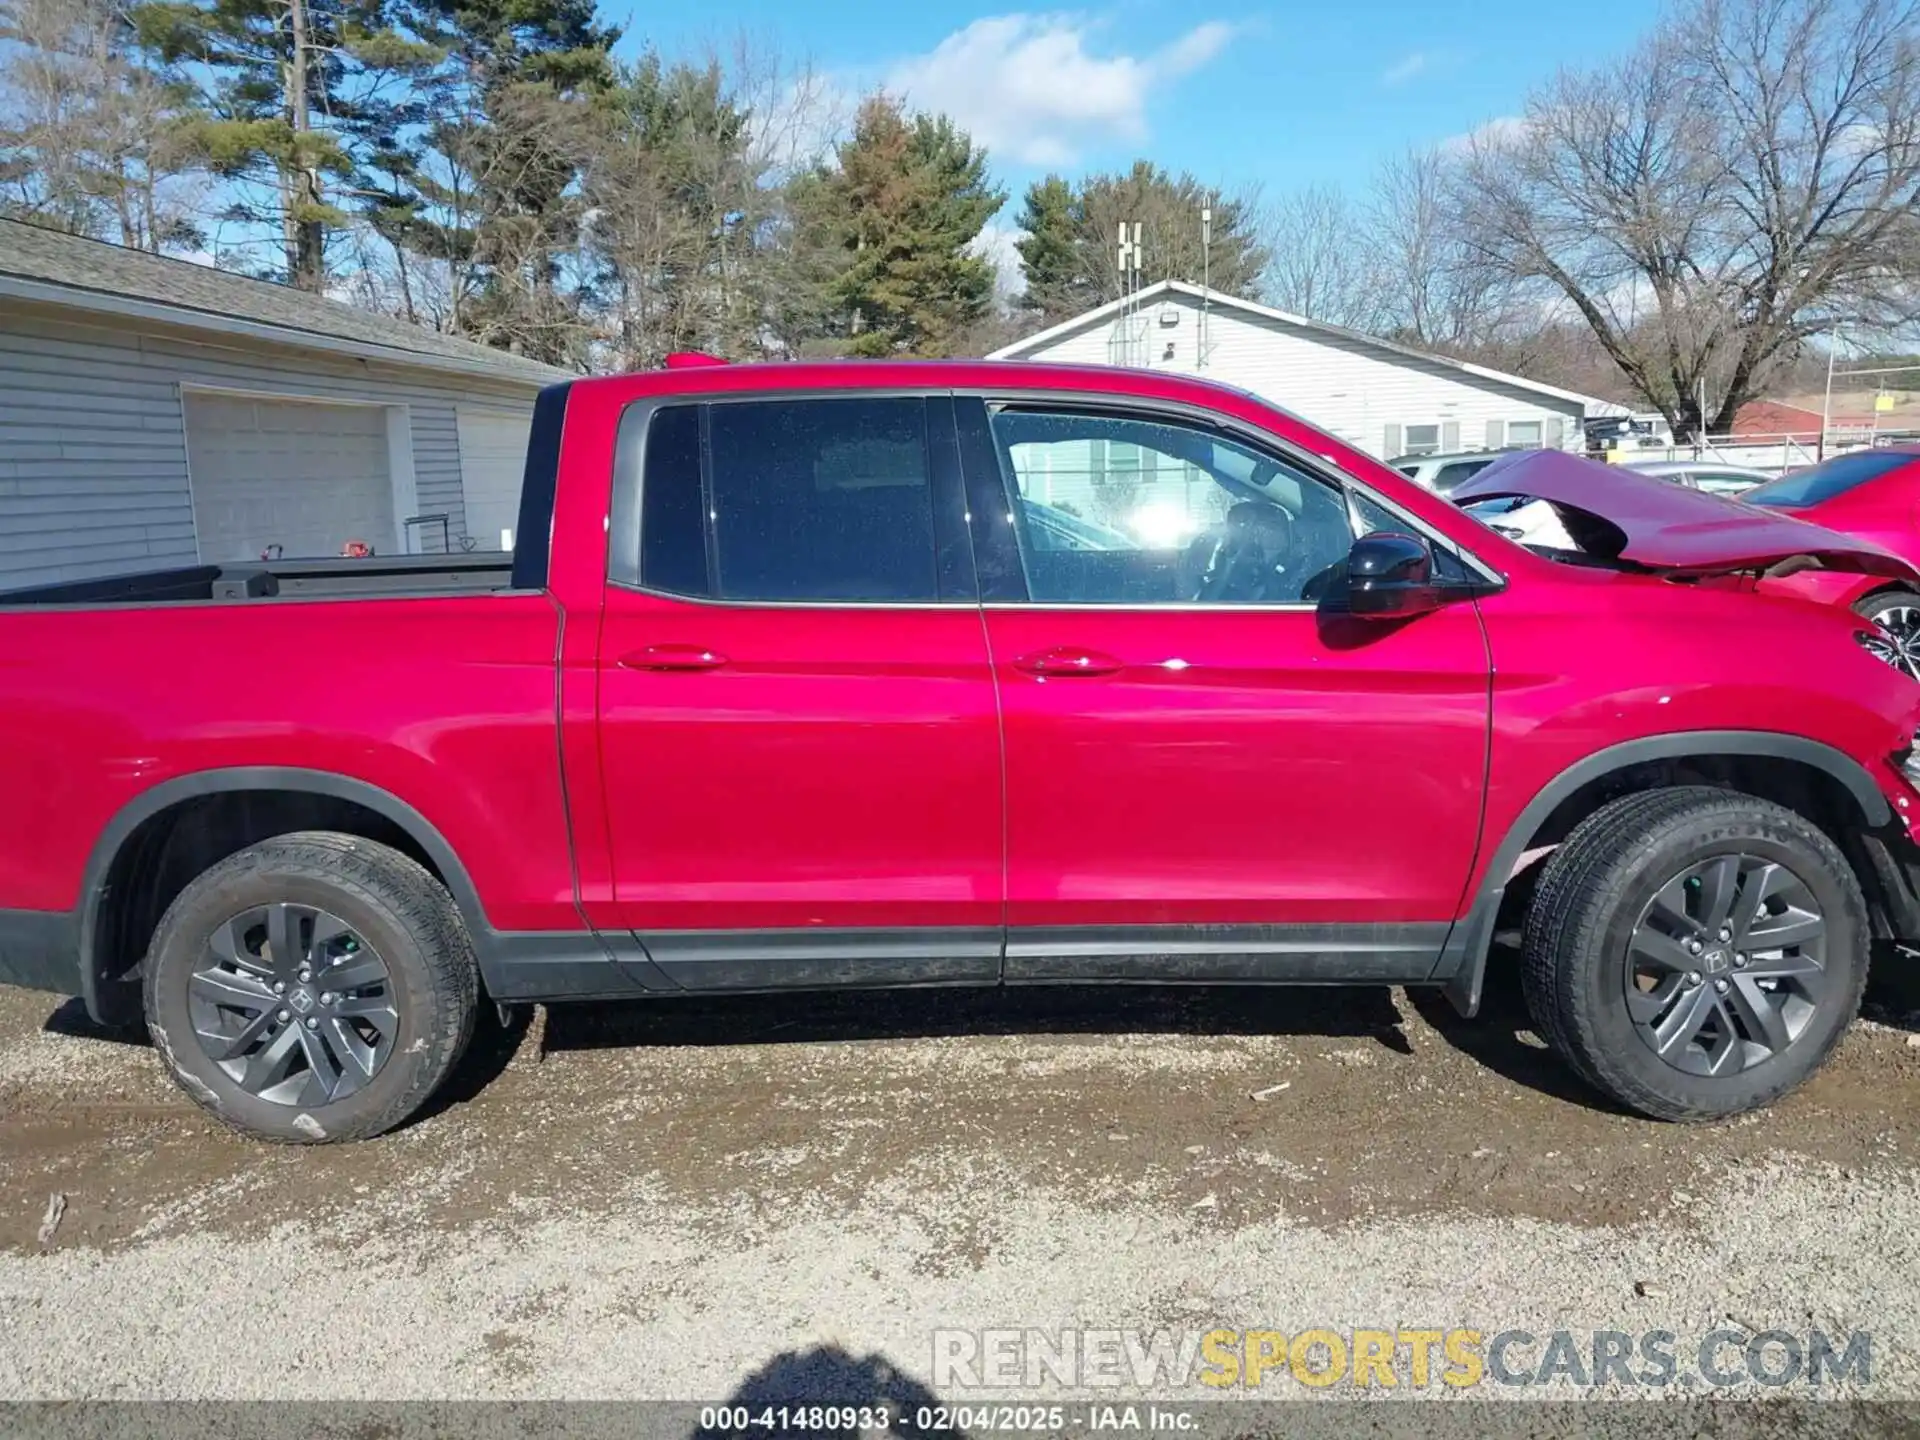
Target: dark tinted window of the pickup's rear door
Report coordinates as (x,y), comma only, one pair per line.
(809,500)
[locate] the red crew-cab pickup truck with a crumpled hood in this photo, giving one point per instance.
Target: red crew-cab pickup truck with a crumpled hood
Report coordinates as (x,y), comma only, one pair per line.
(957,675)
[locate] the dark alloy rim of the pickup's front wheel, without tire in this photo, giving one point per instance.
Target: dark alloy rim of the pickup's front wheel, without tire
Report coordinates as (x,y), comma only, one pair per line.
(1727,965)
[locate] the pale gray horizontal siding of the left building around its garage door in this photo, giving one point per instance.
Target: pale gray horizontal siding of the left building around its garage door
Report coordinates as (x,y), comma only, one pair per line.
(93,441)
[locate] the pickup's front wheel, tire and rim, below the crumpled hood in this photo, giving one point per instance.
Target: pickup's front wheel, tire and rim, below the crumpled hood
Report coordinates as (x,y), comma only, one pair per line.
(1696,953)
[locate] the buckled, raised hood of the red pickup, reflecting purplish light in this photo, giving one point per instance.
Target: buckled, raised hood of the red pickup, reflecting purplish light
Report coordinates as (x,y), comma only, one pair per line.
(1658,525)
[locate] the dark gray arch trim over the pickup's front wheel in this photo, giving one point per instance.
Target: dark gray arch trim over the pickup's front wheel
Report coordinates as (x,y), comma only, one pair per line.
(1464,957)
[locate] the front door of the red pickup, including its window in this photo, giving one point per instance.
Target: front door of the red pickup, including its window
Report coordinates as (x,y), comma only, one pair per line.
(1211,773)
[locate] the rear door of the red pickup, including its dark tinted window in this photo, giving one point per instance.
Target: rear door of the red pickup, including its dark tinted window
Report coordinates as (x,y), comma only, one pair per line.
(798,721)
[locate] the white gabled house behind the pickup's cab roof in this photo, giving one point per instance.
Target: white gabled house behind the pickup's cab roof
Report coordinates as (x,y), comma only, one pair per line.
(1380,396)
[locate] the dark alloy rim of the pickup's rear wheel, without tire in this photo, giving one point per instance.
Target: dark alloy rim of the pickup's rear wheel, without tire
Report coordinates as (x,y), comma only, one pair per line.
(293,1005)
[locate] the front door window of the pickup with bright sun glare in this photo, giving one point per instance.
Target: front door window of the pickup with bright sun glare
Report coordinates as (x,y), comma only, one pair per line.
(1184,516)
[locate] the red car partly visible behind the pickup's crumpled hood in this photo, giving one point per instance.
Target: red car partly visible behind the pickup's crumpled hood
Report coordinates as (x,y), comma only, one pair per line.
(1873,494)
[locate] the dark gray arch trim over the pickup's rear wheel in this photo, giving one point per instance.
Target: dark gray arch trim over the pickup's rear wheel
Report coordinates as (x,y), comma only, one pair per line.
(203,784)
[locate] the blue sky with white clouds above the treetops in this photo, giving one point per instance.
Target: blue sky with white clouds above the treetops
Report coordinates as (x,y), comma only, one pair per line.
(1280,95)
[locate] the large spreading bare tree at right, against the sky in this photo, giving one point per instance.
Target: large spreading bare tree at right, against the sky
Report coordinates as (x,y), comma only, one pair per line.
(1740,183)
